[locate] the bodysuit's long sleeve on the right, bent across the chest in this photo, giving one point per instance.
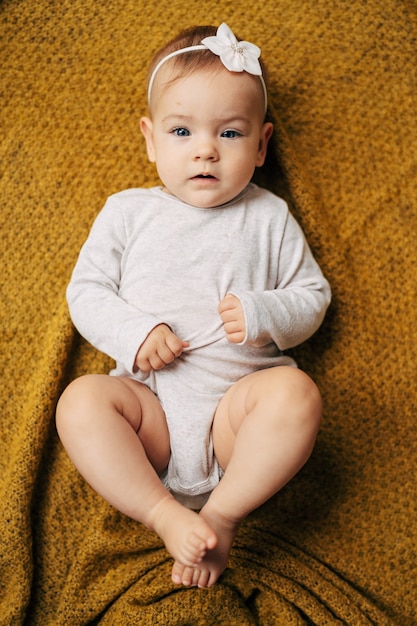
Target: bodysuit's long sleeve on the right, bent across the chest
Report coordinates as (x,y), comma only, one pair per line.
(294,310)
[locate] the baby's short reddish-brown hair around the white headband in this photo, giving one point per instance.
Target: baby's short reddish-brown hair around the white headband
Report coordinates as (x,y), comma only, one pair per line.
(188,62)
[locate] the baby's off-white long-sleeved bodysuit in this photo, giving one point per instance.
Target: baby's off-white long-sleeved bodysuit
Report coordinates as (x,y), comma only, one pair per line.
(150,259)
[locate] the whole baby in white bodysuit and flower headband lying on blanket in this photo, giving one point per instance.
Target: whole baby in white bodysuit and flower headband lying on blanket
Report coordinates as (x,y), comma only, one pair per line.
(195,288)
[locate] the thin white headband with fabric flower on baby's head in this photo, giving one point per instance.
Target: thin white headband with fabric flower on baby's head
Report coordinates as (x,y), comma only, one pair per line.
(236,56)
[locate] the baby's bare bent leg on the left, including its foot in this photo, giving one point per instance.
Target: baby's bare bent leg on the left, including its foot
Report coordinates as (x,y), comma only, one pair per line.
(115,432)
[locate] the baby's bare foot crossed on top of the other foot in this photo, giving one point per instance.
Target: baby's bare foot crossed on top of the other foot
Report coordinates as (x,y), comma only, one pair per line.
(186,535)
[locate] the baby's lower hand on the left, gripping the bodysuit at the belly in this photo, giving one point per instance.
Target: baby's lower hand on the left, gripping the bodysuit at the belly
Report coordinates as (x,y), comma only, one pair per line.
(160,348)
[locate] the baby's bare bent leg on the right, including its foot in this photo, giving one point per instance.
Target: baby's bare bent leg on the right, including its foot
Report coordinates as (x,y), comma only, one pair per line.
(263,432)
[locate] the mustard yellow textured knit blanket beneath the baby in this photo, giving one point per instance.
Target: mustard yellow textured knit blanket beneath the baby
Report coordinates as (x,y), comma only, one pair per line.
(338,544)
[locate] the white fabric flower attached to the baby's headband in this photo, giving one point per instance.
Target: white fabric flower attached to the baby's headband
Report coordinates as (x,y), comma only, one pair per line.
(236,56)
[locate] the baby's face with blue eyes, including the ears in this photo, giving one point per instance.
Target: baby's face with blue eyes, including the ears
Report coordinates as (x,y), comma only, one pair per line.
(207,134)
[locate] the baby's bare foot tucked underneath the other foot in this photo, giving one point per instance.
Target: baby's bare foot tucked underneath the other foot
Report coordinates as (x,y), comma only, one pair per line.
(213,563)
